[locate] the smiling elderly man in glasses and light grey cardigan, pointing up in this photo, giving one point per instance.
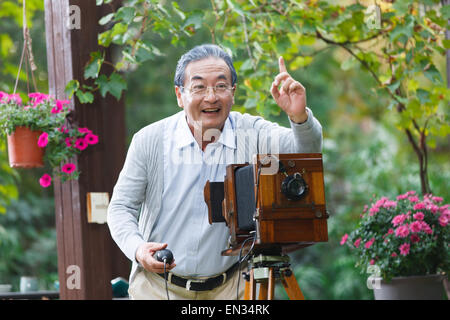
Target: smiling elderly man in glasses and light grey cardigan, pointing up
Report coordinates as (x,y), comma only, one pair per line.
(158,199)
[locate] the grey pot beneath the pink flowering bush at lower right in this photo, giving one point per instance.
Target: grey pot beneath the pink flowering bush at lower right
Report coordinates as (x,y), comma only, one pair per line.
(429,287)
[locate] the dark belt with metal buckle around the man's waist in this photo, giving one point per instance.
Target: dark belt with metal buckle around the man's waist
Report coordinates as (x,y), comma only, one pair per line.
(201,284)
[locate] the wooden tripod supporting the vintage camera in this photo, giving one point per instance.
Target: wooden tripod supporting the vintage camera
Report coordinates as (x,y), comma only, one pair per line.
(264,270)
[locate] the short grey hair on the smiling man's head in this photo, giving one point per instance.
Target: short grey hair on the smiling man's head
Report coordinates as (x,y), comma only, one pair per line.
(202,52)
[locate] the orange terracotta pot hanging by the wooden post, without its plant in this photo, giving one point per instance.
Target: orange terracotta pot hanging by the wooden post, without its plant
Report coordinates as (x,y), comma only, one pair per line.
(23,150)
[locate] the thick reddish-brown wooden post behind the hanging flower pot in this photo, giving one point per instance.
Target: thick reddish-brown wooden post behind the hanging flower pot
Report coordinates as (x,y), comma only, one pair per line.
(88,259)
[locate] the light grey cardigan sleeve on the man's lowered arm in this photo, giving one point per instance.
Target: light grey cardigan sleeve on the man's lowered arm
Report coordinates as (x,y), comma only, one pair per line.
(127,198)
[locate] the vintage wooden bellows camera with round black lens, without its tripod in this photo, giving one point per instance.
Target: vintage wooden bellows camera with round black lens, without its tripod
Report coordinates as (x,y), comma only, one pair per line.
(286,208)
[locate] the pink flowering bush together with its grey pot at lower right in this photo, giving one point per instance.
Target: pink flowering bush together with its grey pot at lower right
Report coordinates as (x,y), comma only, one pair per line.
(404,244)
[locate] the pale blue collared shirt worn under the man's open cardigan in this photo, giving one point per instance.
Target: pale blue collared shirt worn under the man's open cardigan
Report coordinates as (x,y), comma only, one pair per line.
(183,221)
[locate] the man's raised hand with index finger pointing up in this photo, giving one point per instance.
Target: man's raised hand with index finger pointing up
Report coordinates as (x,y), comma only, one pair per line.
(291,97)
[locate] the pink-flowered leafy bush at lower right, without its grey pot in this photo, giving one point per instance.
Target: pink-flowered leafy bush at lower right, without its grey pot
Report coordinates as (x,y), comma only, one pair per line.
(403,237)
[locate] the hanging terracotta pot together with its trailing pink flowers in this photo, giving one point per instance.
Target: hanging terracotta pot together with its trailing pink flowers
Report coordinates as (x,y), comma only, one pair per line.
(43,123)
